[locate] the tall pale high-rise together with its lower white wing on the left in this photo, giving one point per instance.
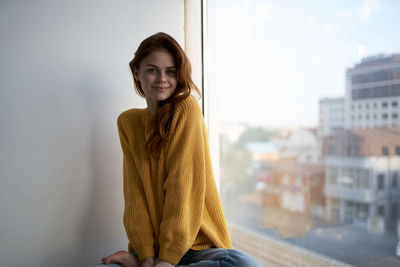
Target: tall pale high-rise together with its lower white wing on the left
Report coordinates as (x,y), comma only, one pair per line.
(372,97)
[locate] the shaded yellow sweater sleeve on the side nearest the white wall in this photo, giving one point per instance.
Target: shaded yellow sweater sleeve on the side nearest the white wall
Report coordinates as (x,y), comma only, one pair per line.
(136,216)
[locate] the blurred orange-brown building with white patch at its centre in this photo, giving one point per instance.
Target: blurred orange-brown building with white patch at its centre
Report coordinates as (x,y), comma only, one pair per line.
(293,197)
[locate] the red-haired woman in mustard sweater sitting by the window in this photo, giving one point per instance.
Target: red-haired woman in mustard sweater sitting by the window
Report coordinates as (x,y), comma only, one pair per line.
(173,215)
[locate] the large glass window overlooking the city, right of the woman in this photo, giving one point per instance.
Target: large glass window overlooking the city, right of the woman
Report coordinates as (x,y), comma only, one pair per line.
(300,187)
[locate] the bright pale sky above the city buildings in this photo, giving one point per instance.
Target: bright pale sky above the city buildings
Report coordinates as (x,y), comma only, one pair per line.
(271,61)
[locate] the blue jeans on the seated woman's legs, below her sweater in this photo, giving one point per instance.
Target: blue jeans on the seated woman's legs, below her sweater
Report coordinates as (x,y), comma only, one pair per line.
(212,257)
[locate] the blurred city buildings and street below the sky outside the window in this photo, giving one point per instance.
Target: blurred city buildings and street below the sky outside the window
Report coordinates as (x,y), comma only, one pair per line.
(333,189)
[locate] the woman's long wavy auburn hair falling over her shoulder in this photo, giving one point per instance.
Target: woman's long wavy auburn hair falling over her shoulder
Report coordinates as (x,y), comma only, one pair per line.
(162,116)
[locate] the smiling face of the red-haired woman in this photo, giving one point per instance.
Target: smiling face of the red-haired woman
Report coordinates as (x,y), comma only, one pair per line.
(157,77)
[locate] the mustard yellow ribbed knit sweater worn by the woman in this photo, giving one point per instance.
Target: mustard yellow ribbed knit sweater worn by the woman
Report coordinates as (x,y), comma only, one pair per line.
(171,204)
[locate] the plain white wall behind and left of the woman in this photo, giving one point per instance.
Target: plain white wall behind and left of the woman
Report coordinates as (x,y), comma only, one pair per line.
(64,78)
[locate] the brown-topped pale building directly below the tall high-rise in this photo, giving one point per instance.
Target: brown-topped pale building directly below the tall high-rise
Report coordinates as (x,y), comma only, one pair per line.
(362,169)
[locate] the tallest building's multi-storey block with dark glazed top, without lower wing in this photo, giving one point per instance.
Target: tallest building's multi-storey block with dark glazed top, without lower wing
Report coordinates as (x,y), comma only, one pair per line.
(373,92)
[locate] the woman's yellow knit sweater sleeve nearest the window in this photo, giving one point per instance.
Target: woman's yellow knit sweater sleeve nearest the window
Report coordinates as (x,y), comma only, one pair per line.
(184,185)
